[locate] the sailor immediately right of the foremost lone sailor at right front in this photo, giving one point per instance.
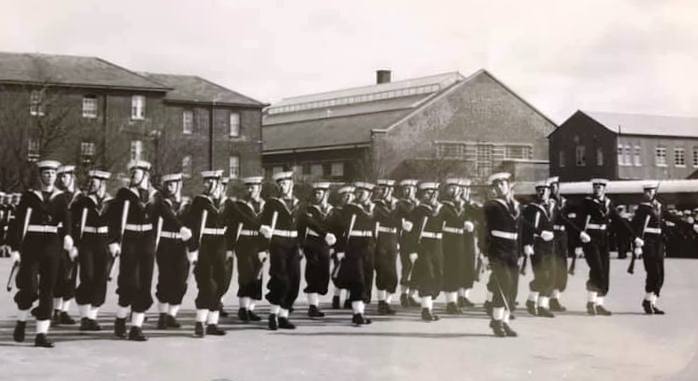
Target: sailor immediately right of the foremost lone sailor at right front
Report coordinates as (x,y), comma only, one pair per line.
(537,239)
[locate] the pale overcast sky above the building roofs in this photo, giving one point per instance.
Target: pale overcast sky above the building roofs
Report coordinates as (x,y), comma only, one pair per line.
(604,55)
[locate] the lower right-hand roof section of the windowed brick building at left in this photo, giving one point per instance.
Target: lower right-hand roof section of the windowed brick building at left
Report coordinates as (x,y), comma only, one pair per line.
(194,89)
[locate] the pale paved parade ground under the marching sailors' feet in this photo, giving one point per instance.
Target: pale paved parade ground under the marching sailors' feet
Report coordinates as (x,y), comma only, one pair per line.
(574,346)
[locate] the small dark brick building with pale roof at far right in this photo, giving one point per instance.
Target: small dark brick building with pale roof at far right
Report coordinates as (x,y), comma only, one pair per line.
(624,147)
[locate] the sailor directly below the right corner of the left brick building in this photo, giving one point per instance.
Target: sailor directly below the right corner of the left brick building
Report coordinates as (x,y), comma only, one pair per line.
(243,220)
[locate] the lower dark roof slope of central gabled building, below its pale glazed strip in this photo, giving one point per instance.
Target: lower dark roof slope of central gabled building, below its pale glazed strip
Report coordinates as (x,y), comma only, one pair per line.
(347,130)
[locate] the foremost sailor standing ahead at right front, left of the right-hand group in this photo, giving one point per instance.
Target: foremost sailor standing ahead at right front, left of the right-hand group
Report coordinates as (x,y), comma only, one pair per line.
(502,216)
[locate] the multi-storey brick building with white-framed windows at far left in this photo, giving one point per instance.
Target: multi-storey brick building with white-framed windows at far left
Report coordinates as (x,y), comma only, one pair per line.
(93,113)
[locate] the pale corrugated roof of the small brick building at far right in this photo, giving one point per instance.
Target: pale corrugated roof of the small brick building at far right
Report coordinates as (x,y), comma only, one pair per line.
(641,124)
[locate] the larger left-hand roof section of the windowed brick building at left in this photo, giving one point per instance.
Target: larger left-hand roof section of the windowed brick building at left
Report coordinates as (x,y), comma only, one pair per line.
(73,71)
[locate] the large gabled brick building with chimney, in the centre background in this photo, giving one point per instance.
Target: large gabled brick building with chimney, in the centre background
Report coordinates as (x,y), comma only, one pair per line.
(431,127)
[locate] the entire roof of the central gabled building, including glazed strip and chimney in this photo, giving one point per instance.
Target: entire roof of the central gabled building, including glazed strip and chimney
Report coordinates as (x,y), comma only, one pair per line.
(349,117)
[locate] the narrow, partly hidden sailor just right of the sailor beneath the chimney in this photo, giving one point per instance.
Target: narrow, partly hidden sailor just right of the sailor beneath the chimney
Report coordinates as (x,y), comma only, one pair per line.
(407,202)
